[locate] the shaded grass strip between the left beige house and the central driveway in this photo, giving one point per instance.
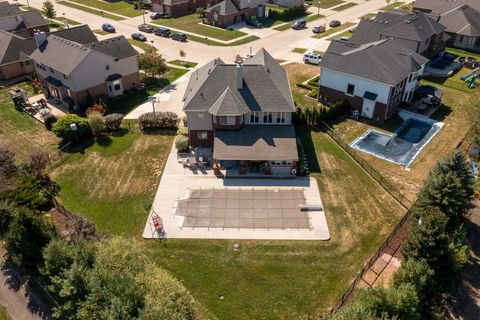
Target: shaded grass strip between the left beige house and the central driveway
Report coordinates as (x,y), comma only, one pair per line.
(129,101)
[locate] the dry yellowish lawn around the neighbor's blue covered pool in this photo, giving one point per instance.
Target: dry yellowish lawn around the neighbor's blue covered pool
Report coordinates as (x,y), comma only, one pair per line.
(451,135)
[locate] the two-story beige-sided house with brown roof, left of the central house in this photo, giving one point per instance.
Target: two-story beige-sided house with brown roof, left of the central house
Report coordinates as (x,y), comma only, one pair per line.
(104,68)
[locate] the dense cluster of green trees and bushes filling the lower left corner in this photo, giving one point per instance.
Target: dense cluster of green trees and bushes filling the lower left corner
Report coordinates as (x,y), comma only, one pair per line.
(90,275)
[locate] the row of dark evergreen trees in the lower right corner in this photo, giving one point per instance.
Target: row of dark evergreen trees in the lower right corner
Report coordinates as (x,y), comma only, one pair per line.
(434,252)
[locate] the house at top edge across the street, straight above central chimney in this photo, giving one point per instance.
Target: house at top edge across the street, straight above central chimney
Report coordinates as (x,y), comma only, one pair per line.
(230,12)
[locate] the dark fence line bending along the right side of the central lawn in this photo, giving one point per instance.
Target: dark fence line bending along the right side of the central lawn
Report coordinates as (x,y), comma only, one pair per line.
(393,191)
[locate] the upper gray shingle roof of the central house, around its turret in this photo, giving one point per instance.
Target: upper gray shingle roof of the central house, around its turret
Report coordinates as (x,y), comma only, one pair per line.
(265,85)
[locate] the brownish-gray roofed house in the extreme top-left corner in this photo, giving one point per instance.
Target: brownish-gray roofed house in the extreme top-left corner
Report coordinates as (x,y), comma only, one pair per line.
(13,20)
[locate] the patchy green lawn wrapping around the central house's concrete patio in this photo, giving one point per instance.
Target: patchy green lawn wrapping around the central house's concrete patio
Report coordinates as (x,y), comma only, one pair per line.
(114,185)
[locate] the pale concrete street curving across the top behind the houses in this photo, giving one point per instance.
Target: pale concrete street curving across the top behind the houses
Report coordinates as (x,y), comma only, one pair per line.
(279,44)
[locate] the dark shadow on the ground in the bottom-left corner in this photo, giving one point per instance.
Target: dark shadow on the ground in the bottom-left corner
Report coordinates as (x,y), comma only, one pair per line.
(15,282)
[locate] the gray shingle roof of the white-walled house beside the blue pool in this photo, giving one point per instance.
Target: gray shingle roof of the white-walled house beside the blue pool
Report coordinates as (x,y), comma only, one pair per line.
(383,61)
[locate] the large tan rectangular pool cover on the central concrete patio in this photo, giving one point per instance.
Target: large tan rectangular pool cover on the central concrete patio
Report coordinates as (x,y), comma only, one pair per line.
(243,208)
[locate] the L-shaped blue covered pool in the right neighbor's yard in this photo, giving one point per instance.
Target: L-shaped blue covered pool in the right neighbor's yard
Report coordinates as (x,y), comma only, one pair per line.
(403,146)
